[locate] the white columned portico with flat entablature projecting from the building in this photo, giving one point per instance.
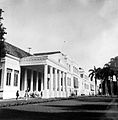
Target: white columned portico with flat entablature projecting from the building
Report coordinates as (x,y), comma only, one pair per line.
(41,74)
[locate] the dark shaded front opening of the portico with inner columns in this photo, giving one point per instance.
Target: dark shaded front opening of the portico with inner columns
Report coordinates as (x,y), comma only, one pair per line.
(31,83)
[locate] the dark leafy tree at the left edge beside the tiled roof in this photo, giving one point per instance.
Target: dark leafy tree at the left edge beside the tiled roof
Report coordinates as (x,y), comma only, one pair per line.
(2,39)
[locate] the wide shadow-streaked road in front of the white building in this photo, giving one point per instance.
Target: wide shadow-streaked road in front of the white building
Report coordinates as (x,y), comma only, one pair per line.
(73,109)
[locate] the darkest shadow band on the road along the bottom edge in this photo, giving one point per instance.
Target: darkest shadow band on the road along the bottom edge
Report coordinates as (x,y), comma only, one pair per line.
(7,114)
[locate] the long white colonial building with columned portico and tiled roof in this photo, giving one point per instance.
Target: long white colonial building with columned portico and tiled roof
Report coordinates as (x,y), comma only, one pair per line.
(52,74)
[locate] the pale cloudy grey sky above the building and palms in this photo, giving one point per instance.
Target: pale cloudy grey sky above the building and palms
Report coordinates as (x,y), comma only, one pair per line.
(86,30)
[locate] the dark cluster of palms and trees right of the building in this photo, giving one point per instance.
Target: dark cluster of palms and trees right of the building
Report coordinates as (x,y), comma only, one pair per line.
(106,74)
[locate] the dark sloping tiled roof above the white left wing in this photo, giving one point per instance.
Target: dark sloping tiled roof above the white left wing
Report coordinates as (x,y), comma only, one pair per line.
(15,51)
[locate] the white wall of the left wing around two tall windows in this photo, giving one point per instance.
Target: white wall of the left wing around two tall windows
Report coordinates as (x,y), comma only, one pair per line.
(11,63)
